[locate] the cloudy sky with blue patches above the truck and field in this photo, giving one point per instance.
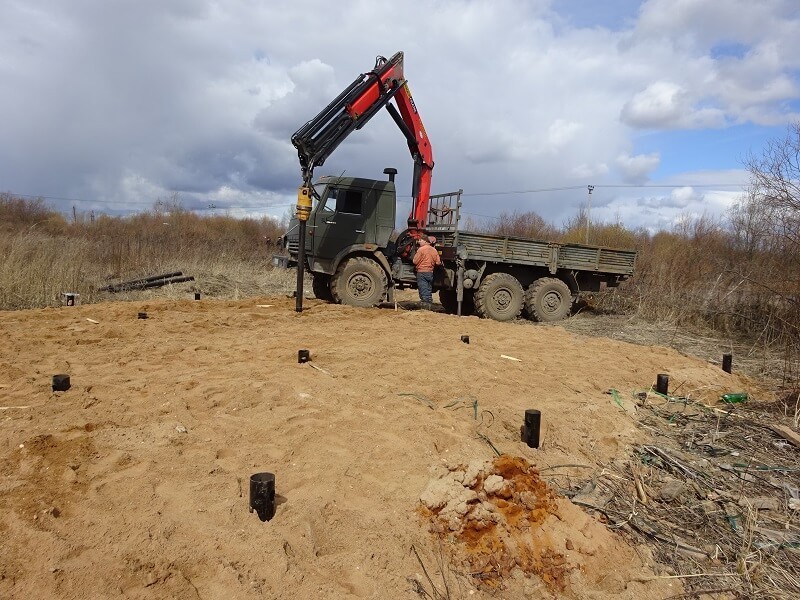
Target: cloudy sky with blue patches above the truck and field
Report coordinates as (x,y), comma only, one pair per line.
(111,105)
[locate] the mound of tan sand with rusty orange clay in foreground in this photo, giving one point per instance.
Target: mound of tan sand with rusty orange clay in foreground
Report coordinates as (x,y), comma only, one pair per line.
(500,520)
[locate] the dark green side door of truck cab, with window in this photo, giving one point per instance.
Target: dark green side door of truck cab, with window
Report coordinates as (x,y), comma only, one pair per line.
(339,222)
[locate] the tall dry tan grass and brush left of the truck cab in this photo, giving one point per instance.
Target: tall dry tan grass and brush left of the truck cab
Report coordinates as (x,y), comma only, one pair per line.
(41,255)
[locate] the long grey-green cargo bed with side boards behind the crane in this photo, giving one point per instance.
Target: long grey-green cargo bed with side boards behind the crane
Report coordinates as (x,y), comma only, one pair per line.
(554,256)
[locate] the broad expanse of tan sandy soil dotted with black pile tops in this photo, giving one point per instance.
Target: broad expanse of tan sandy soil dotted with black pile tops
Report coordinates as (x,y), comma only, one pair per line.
(135,481)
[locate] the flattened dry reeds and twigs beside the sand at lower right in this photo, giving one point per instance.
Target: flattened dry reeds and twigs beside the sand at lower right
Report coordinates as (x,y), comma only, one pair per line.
(712,493)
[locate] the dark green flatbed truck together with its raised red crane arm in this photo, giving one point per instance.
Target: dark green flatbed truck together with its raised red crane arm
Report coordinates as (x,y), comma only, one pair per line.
(350,247)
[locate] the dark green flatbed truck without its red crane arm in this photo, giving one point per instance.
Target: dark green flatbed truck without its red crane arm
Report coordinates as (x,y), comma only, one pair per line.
(355,257)
